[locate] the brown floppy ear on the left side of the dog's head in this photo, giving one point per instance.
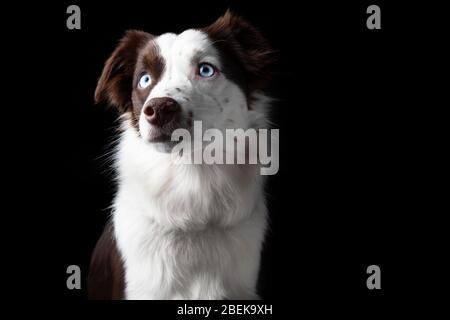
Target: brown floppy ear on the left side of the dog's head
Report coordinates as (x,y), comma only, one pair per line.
(116,82)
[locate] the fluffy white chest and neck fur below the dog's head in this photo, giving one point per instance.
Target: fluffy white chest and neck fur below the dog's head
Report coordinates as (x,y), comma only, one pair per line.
(187,231)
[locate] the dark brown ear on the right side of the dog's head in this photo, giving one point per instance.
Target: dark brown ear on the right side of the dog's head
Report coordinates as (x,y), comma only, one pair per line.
(247,46)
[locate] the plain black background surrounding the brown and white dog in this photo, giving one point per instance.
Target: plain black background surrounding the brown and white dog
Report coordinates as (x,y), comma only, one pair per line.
(349,183)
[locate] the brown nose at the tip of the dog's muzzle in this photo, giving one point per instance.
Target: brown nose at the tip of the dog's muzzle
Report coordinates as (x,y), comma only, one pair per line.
(160,111)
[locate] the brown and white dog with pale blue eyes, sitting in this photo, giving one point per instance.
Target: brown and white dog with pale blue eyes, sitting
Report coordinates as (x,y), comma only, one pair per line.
(183,231)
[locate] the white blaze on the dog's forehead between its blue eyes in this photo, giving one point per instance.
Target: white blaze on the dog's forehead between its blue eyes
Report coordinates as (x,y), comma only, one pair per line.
(181,53)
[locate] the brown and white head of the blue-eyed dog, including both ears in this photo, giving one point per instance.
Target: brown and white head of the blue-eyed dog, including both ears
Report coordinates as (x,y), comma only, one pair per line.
(166,82)
